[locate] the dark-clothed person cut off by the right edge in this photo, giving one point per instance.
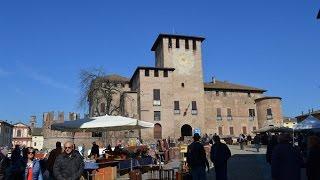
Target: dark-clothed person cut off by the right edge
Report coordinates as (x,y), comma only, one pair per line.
(313,158)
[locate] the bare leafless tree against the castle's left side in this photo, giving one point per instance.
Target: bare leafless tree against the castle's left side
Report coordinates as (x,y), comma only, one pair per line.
(96,88)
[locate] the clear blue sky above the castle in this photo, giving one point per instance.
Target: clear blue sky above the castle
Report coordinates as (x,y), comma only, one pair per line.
(269,44)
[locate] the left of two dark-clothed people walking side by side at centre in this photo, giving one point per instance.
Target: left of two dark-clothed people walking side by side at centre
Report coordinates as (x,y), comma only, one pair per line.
(197,159)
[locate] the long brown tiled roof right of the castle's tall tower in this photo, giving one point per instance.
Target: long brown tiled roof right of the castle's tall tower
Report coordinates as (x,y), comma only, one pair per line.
(223,85)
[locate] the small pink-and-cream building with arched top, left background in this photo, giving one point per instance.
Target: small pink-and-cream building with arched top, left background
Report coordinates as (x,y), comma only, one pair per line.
(21,135)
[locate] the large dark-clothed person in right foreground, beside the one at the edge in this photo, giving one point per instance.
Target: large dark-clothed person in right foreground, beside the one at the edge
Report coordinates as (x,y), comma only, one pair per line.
(286,160)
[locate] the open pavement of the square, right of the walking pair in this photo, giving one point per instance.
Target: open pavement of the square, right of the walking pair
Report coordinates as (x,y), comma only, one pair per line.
(247,164)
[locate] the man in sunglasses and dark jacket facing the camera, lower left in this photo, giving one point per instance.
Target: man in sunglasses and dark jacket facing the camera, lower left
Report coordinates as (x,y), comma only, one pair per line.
(68,165)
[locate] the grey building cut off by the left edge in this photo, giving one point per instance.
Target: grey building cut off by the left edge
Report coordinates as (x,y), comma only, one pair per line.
(5,134)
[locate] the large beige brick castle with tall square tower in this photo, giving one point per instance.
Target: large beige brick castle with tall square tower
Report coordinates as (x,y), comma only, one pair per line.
(173,95)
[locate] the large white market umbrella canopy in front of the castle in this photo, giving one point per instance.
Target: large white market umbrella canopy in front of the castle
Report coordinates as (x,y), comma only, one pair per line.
(102,123)
